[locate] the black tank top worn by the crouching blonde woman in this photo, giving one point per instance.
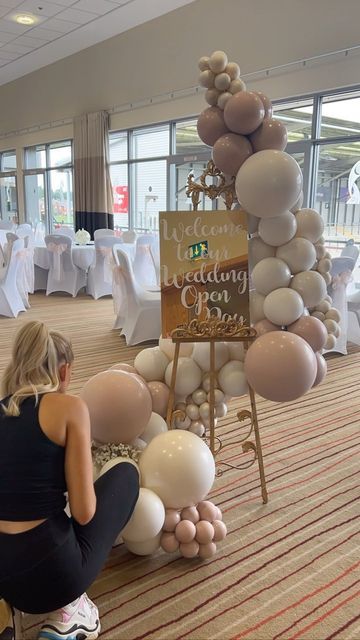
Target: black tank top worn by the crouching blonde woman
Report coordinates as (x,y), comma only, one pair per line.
(32,476)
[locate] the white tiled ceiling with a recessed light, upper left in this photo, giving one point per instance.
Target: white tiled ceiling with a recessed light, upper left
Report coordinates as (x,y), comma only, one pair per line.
(64,27)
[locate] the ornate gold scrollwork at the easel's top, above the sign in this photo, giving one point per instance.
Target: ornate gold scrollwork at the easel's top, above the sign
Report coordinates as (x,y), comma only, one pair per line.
(223,189)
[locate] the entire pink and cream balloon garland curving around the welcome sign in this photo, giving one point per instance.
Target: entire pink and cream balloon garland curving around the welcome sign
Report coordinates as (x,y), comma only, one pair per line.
(289,308)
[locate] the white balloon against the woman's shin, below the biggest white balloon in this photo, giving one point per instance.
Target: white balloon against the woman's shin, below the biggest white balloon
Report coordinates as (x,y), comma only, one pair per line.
(147,518)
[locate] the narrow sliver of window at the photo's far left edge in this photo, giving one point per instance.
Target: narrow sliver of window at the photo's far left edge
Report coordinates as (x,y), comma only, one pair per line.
(8,187)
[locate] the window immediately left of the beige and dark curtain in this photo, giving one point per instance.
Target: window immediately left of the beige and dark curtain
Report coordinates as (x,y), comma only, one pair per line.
(48,179)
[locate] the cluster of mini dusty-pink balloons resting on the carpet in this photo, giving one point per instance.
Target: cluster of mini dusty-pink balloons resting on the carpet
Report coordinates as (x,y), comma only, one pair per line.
(193,531)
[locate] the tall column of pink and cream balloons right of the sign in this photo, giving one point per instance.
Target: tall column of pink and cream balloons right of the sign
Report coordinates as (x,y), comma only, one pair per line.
(289,265)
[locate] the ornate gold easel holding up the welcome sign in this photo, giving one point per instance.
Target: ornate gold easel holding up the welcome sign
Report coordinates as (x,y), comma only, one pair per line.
(213,331)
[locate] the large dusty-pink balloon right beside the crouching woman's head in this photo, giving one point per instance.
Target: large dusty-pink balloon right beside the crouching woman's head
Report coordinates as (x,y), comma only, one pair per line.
(119,404)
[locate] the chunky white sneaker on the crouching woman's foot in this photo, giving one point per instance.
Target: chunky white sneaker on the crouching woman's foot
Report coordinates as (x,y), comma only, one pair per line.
(79,620)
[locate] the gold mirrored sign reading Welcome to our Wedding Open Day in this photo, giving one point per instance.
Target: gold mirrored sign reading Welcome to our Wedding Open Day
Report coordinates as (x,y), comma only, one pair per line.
(204,267)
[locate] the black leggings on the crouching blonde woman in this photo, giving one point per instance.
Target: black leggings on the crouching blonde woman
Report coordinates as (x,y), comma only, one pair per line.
(49,566)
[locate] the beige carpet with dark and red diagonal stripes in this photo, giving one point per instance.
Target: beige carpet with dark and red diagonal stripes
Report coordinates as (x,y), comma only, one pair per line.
(289,569)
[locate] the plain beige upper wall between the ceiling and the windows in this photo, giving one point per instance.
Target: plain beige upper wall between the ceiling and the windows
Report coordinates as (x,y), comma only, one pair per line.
(160,57)
